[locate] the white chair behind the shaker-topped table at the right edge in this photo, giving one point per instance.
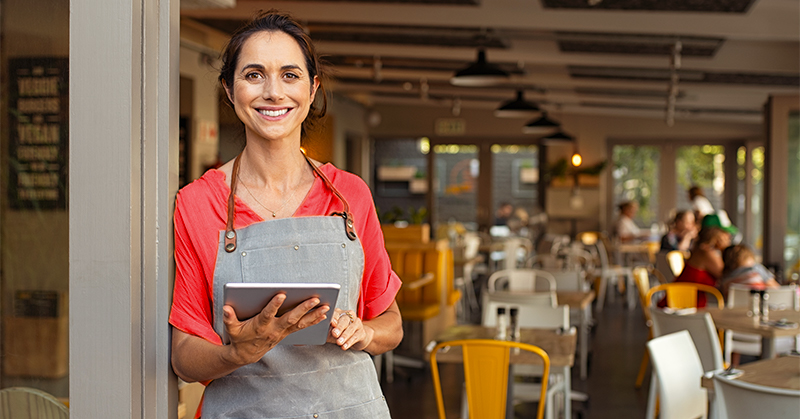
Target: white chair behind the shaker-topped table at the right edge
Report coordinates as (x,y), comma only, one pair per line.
(750,344)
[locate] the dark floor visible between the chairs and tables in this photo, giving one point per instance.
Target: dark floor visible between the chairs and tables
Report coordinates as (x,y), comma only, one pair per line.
(618,340)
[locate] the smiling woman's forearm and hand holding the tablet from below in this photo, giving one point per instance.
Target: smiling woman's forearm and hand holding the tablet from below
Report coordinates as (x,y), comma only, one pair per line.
(196,359)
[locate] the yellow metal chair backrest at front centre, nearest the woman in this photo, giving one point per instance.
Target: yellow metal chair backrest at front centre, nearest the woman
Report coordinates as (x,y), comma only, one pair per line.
(486,376)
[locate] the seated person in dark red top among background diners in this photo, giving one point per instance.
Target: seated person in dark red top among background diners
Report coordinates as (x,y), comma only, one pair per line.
(705,265)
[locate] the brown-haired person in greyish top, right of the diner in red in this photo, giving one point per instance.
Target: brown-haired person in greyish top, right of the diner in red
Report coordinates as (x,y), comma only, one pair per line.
(741,268)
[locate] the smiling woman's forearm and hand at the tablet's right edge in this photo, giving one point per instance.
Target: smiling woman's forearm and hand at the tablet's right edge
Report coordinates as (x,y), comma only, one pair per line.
(382,333)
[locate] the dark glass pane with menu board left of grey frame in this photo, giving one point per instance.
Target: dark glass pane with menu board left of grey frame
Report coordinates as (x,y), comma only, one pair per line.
(34,239)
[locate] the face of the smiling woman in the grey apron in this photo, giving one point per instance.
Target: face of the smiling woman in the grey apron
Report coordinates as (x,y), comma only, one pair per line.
(272,90)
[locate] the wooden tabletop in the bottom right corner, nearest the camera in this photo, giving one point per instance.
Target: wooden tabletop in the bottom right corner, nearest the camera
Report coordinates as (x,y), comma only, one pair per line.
(783,372)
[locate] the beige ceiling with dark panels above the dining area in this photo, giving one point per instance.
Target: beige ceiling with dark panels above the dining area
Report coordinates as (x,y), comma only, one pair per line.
(750,55)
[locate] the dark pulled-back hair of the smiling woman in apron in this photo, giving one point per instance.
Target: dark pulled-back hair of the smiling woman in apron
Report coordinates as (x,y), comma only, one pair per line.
(274,21)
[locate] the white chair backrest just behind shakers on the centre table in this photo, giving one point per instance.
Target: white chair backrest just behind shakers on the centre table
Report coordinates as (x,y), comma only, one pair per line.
(531,314)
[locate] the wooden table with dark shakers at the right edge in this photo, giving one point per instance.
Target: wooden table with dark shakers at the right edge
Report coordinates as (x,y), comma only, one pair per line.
(736,319)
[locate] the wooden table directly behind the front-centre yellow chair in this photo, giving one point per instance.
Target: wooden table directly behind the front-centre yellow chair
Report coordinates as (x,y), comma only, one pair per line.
(559,347)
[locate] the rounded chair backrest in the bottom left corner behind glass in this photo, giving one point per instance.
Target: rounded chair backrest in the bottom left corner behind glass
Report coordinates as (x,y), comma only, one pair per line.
(24,402)
